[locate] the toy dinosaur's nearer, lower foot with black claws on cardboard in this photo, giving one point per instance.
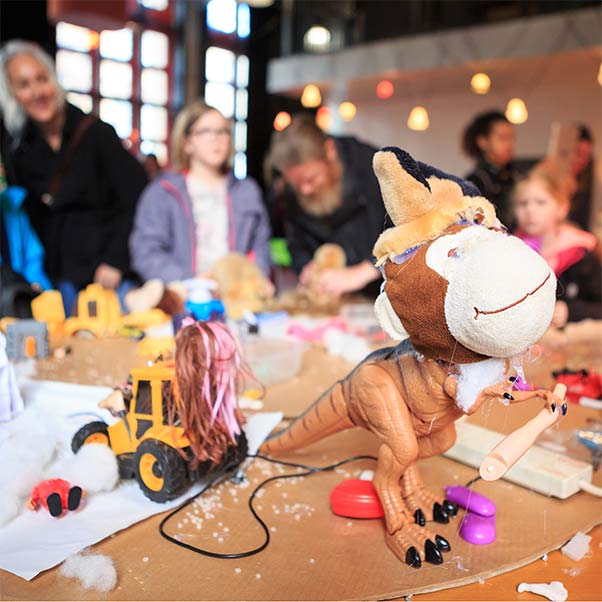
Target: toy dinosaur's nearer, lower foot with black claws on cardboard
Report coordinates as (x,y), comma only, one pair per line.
(416,545)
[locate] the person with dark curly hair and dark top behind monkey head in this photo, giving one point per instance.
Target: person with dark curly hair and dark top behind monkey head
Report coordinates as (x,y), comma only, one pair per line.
(489,140)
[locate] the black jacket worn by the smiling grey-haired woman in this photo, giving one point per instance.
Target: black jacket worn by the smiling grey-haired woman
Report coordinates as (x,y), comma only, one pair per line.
(91,218)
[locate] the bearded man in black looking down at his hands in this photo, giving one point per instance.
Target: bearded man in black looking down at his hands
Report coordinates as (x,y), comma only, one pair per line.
(329,195)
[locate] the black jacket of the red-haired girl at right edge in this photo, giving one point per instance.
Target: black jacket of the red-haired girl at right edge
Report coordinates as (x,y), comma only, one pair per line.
(580,286)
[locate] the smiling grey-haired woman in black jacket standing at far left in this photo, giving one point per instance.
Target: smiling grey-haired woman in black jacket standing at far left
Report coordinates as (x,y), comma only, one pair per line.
(82,185)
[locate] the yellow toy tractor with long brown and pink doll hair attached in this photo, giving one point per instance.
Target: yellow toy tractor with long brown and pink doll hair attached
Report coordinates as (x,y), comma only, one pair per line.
(166,440)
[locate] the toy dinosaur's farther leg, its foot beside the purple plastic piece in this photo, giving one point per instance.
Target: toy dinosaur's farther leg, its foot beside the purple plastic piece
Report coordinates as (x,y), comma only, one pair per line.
(425,505)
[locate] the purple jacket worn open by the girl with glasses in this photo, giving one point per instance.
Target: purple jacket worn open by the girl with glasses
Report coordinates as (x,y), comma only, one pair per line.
(163,241)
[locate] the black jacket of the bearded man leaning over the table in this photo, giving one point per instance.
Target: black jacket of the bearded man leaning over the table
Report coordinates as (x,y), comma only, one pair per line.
(355,225)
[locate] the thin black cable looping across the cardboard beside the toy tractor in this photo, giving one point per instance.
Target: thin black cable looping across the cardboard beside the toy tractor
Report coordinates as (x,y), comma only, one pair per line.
(308,470)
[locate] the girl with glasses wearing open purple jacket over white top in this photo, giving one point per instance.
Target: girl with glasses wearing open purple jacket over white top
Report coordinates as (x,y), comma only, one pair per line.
(190,218)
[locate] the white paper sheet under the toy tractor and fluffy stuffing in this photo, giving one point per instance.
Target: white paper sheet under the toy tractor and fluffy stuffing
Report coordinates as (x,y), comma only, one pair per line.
(34,541)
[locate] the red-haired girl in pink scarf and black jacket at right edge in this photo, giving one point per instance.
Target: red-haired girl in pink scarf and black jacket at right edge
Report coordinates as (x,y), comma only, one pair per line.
(541,205)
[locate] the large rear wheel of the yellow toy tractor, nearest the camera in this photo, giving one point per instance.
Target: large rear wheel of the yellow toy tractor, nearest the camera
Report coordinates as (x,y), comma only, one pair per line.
(160,471)
